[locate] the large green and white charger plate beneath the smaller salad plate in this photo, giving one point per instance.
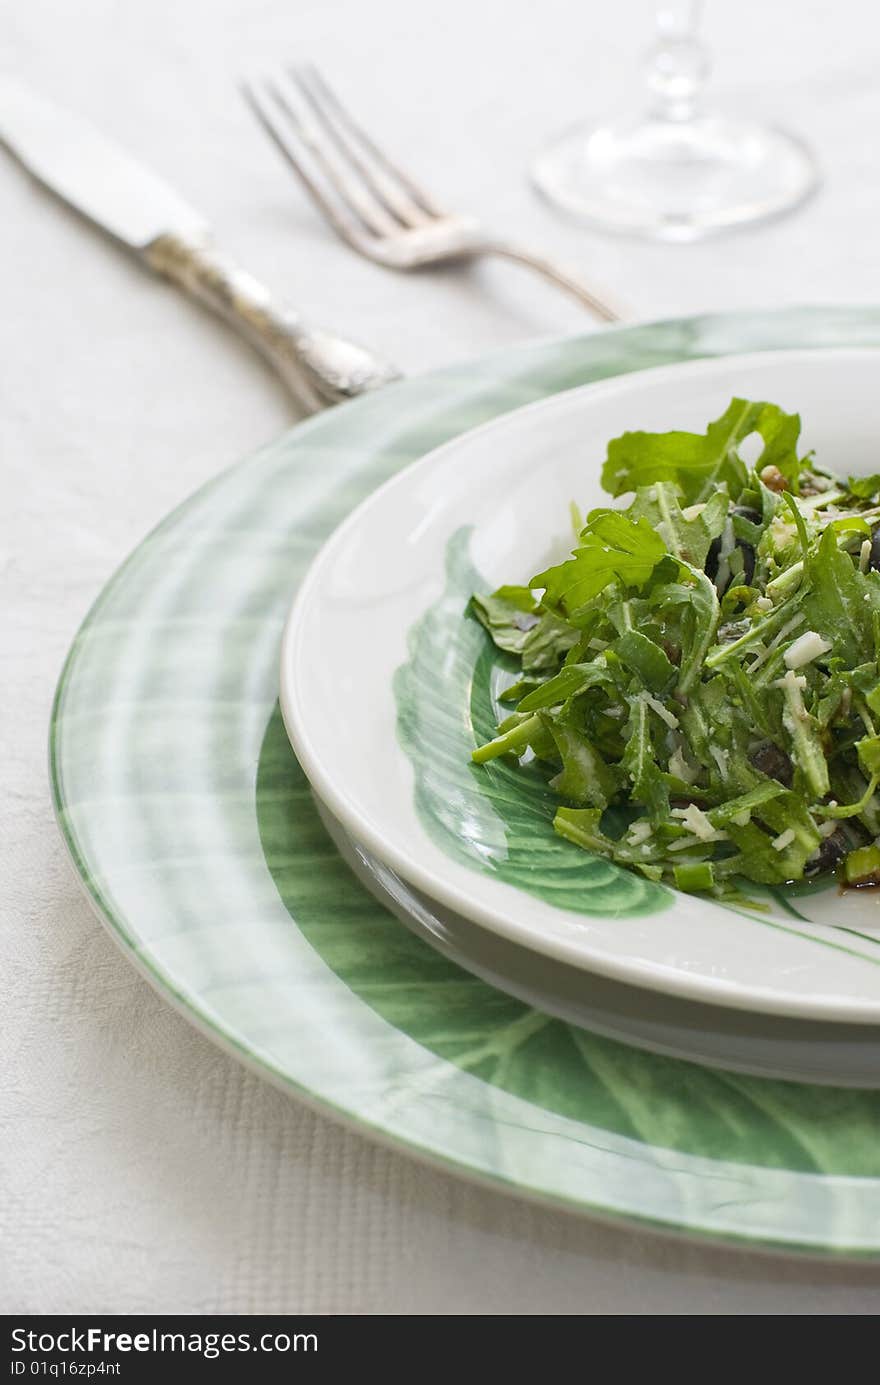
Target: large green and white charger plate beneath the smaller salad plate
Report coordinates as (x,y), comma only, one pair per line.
(195,833)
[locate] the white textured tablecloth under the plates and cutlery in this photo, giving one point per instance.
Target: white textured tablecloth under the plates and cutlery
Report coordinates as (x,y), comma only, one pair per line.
(141,1168)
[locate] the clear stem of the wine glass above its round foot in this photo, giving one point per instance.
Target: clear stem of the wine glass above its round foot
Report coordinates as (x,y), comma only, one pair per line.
(678,62)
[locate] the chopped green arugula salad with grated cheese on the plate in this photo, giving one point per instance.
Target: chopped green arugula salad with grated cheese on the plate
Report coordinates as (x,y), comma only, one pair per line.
(702,677)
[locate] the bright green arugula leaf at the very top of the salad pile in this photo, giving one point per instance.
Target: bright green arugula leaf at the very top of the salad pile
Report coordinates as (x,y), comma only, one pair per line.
(701,463)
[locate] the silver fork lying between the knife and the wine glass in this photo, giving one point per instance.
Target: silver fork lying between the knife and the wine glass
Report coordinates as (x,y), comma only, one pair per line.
(369,202)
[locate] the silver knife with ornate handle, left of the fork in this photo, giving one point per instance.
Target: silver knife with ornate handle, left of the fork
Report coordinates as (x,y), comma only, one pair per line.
(76,161)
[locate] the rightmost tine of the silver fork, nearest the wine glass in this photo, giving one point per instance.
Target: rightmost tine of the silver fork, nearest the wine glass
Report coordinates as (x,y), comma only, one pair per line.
(390,185)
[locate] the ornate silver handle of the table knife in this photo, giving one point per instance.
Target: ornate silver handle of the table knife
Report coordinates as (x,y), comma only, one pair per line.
(318,368)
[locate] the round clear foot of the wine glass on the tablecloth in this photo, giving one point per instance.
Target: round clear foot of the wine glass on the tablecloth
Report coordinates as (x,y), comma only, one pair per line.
(676,181)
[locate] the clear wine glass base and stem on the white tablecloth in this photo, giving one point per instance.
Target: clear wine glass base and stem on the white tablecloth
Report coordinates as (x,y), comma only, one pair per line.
(674,171)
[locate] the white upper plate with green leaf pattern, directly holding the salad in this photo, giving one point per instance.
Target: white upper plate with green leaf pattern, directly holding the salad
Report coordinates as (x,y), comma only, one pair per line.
(387,688)
